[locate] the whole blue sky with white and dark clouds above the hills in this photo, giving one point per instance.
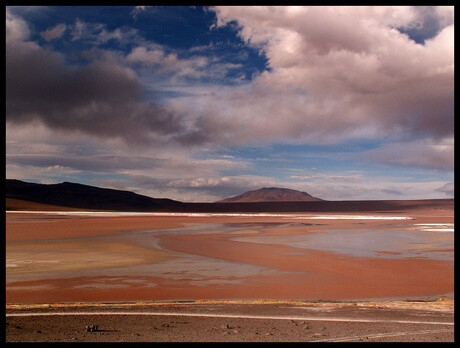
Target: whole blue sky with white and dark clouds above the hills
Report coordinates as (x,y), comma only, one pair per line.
(198,104)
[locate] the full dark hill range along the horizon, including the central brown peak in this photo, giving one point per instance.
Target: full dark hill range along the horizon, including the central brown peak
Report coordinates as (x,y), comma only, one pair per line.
(22,195)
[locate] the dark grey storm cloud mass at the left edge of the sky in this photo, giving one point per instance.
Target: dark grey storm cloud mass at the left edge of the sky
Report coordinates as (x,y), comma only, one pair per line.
(101,98)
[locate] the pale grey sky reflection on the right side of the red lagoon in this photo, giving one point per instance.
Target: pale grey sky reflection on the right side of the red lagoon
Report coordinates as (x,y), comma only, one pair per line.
(431,241)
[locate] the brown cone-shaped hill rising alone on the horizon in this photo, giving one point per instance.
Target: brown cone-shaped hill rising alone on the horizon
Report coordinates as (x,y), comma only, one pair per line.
(272,194)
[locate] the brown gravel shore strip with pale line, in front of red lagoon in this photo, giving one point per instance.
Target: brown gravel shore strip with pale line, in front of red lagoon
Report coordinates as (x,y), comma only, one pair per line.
(282,321)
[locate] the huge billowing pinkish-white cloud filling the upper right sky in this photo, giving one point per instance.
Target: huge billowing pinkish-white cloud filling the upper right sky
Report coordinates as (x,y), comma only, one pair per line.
(336,73)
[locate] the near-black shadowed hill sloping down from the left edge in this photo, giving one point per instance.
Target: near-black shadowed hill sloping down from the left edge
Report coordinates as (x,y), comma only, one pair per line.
(73,195)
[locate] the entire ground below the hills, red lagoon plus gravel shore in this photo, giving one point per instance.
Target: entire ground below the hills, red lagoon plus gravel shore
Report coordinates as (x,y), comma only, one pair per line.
(168,263)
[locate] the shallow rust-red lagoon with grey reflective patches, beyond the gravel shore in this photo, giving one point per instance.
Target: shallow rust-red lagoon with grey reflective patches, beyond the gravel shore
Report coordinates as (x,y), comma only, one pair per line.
(147,259)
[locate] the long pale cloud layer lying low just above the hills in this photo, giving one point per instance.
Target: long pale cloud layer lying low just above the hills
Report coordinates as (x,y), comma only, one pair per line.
(34,152)
